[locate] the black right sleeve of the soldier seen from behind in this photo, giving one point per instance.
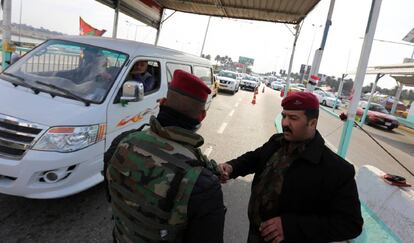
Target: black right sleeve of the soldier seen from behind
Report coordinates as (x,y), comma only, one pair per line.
(205,211)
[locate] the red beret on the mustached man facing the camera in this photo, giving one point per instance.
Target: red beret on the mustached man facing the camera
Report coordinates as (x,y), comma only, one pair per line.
(300,101)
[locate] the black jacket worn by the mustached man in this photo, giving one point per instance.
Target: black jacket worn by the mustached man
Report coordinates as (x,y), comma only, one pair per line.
(319,199)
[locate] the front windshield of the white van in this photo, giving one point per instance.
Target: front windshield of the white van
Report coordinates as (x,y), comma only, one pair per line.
(87,72)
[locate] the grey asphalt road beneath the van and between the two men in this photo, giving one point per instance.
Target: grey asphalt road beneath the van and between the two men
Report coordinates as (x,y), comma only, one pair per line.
(233,126)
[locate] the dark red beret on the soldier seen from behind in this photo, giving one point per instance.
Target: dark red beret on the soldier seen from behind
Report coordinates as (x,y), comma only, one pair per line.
(189,85)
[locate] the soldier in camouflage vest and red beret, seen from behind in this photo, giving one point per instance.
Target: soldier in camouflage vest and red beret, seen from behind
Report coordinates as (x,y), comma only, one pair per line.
(162,188)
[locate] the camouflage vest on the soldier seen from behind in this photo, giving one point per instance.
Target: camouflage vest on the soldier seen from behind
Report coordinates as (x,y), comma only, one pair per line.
(151,177)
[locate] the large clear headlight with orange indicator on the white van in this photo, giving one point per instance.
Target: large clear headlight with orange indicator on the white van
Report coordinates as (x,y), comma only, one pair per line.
(68,139)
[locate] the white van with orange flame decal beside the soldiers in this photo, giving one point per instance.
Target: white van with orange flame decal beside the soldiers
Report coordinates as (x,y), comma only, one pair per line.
(64,103)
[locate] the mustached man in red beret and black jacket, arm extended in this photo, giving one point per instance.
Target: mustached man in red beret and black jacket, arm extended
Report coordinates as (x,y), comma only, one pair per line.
(301,191)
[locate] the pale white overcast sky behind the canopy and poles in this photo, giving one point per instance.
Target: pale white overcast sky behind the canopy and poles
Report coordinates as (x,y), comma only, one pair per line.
(270,44)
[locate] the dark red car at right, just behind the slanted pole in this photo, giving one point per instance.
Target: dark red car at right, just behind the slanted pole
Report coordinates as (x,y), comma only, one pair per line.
(378,115)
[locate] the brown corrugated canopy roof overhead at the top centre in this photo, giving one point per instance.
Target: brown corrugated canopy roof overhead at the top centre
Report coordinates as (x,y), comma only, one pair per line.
(281,11)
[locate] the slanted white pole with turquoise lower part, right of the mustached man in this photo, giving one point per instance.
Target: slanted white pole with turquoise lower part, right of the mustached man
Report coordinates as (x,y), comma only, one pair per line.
(359,77)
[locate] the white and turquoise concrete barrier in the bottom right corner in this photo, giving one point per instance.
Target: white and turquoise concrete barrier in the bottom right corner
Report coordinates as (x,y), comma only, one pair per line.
(389,210)
